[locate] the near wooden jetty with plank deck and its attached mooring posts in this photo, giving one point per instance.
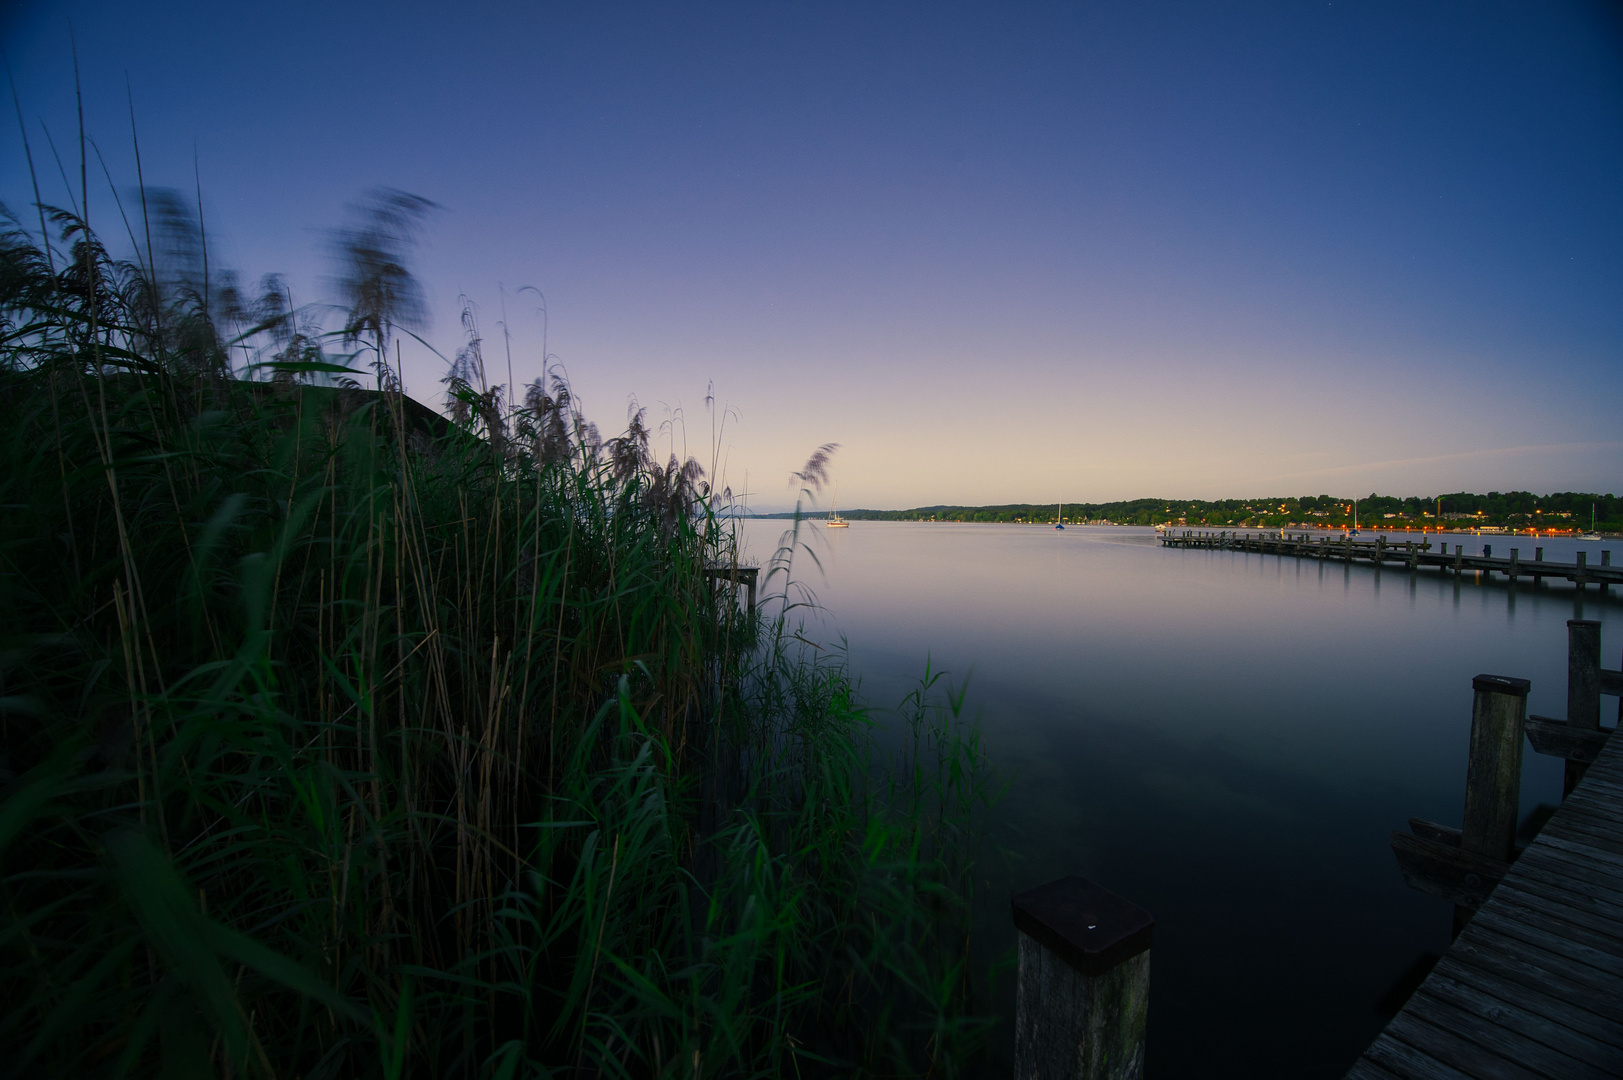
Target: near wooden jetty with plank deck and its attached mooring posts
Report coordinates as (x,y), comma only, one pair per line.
(1533,987)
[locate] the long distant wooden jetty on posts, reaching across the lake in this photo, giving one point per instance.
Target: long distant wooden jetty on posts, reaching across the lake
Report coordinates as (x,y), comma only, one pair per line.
(1405,555)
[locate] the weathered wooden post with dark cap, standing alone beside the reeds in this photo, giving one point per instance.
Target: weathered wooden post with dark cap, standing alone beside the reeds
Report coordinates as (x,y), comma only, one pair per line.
(1083,987)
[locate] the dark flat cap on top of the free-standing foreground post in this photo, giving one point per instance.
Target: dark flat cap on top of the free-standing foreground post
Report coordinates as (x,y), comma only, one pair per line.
(1090,928)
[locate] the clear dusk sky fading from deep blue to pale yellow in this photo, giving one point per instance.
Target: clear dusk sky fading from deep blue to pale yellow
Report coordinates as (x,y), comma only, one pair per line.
(997,253)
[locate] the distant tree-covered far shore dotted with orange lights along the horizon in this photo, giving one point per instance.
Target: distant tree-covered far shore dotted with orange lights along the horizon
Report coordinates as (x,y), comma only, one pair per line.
(1462,511)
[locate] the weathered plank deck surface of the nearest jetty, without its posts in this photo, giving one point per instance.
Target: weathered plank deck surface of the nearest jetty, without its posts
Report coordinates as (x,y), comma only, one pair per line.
(1533,988)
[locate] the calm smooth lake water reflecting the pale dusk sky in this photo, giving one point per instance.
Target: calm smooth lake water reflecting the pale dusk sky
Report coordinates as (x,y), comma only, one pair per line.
(1223,738)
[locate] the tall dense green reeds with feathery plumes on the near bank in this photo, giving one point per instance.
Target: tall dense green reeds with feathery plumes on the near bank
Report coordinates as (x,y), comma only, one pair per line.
(342,740)
